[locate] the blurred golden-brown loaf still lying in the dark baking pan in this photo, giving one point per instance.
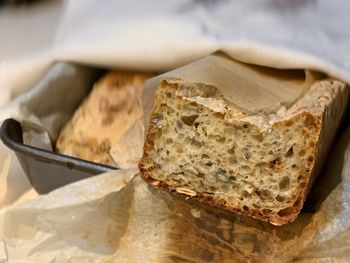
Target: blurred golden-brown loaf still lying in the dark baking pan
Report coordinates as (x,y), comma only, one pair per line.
(106,114)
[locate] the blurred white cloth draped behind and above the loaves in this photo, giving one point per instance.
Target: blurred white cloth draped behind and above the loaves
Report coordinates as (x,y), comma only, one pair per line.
(160,35)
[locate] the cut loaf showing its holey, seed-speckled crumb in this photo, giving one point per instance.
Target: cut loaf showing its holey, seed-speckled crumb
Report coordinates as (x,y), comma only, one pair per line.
(258,164)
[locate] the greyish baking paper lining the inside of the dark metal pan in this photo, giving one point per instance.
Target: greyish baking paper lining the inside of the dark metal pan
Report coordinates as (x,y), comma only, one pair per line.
(49,105)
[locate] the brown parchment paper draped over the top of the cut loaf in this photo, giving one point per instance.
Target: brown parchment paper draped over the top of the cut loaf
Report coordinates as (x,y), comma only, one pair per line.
(249,87)
